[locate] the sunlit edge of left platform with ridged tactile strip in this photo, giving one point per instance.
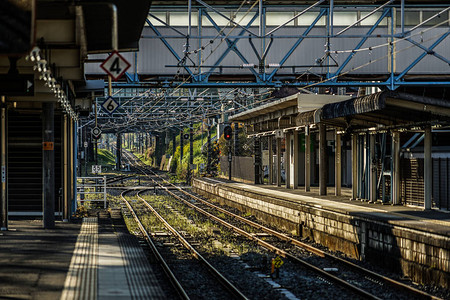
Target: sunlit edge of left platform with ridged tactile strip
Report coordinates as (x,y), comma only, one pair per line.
(109,265)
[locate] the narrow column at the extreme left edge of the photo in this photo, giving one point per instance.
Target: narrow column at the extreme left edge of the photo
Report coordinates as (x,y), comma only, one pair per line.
(4,161)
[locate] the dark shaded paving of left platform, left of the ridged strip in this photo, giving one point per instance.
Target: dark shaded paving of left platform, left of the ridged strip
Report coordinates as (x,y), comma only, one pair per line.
(34,261)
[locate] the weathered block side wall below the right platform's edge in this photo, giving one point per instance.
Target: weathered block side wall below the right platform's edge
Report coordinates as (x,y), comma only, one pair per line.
(420,255)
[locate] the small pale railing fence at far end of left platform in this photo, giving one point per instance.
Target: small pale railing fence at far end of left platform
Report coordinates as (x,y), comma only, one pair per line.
(91,189)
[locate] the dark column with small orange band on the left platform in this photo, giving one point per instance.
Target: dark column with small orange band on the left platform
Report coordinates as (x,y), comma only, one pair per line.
(48,165)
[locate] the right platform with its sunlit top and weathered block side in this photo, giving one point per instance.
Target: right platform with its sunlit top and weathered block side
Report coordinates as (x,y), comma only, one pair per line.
(411,241)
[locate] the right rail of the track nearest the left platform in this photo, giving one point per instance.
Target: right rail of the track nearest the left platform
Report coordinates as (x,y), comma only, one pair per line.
(225,282)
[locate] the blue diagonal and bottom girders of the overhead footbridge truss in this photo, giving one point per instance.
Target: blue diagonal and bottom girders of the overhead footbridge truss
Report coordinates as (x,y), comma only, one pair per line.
(199,79)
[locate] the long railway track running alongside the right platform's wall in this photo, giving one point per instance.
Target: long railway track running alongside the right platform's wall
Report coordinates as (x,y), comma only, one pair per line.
(360,281)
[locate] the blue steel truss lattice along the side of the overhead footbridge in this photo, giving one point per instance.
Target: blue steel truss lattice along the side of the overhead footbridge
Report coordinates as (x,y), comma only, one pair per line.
(332,77)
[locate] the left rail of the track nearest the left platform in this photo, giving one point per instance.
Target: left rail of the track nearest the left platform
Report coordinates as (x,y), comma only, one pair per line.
(172,278)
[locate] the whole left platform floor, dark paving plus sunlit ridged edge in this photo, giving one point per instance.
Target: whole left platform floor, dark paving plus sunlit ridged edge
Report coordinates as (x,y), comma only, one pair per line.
(94,258)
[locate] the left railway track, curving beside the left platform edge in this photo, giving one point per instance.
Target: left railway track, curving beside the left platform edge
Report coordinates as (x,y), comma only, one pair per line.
(231,290)
